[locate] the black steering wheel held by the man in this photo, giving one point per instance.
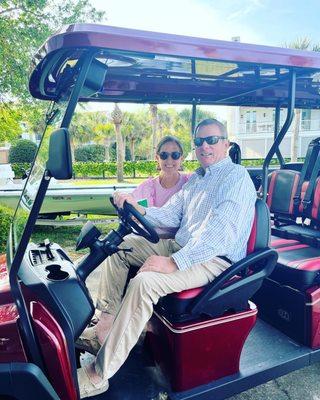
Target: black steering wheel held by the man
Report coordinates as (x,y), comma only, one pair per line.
(129,215)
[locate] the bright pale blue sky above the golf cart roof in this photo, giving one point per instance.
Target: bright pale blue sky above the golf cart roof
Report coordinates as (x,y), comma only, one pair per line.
(268,22)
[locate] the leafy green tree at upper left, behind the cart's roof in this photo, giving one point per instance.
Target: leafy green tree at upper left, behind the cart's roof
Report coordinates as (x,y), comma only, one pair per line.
(24,26)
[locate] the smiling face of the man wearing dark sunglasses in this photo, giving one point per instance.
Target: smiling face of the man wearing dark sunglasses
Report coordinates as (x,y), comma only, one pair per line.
(209,154)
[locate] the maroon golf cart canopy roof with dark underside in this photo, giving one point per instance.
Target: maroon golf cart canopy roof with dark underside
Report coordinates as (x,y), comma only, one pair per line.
(147,67)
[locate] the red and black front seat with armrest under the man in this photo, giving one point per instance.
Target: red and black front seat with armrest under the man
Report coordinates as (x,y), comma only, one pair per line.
(231,290)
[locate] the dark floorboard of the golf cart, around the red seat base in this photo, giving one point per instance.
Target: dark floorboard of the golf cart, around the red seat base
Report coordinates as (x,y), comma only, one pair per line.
(267,355)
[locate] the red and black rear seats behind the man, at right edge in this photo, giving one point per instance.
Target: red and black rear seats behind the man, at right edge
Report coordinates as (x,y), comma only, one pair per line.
(291,195)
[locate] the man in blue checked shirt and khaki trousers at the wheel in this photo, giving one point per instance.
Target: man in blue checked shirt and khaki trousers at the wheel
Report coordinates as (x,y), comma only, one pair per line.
(213,213)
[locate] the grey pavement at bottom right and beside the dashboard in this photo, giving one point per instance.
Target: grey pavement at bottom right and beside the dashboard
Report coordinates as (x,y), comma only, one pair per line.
(303,384)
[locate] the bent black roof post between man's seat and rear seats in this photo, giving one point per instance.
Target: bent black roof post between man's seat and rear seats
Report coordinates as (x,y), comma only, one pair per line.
(280,136)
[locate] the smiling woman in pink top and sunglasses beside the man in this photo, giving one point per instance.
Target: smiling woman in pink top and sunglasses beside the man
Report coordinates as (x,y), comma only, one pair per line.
(156,192)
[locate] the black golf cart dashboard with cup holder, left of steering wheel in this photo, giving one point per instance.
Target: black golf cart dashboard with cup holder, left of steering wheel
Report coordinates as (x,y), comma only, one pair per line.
(50,276)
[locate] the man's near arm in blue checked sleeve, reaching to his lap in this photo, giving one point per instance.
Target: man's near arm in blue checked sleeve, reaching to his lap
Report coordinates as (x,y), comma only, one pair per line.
(222,228)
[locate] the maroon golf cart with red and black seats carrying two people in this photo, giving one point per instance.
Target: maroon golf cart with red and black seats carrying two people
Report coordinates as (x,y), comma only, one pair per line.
(198,336)
